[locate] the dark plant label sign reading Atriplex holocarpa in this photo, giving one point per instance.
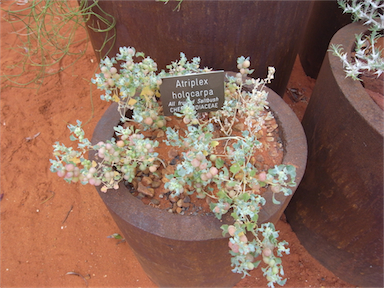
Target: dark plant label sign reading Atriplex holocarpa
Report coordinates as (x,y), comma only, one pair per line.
(206,91)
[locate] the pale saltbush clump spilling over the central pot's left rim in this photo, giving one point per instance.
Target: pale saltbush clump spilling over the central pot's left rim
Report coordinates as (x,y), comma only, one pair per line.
(134,152)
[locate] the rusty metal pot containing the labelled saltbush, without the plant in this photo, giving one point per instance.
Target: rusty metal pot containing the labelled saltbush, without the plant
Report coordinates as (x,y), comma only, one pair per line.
(190,251)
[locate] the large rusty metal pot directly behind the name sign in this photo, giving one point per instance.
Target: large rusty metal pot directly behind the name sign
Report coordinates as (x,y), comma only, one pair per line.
(269,32)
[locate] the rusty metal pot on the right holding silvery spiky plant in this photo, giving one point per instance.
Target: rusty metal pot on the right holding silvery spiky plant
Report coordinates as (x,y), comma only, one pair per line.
(337,212)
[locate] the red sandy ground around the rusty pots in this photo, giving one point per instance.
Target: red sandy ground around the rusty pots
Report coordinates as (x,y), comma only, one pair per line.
(51,230)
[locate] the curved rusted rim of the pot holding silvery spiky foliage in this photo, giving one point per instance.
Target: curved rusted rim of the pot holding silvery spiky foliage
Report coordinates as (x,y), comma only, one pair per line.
(360,100)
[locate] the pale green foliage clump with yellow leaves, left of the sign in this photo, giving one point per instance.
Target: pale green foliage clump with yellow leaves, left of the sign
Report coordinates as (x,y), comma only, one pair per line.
(136,85)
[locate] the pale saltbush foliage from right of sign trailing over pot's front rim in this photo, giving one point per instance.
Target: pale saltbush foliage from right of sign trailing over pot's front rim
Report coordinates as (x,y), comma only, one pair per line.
(236,185)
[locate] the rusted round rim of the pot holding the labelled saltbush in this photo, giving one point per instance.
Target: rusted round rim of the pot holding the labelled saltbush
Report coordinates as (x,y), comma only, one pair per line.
(169,225)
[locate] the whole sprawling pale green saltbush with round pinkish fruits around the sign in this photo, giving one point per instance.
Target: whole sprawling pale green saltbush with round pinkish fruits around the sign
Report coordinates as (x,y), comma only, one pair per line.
(228,176)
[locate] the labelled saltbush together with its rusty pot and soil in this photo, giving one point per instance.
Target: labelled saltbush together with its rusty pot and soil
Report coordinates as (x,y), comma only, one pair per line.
(213,156)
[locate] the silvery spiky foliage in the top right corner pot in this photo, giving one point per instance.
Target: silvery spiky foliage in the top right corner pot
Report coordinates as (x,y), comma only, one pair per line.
(367,54)
